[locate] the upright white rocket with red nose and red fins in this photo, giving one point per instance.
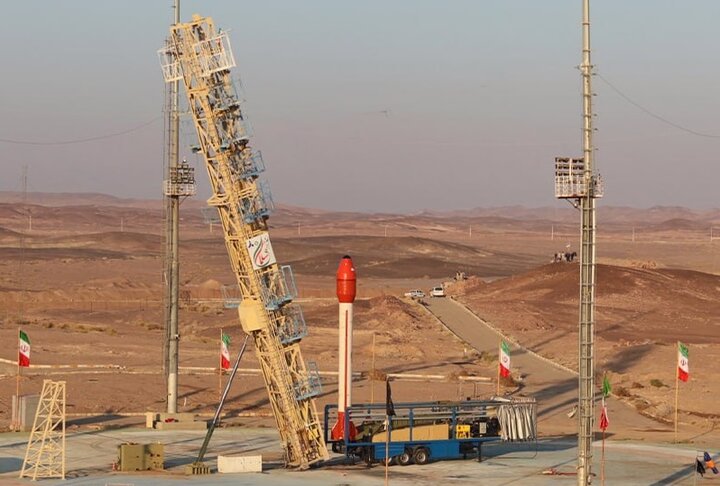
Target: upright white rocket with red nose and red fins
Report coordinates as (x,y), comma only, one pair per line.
(346,285)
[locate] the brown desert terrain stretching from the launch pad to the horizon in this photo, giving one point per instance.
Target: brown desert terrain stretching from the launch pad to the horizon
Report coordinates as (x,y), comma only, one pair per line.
(82,275)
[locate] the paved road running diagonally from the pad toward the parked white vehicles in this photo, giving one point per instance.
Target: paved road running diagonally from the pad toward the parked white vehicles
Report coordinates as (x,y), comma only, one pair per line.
(554,388)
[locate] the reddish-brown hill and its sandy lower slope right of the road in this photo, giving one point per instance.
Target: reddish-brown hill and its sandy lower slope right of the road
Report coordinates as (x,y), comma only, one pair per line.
(640,315)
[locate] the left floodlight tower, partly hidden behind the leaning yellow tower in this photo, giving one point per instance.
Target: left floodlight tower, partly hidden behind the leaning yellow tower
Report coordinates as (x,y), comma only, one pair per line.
(179,183)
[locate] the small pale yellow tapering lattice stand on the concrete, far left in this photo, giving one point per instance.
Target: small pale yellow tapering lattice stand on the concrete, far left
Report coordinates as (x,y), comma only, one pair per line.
(45,453)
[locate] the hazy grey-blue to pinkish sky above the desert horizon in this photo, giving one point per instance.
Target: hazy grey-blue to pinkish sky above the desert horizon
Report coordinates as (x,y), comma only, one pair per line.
(379,105)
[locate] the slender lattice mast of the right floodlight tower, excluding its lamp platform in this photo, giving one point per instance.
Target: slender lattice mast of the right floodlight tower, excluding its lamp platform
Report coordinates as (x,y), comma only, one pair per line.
(586,405)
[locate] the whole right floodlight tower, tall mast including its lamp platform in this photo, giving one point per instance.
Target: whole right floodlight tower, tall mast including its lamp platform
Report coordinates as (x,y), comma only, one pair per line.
(576,180)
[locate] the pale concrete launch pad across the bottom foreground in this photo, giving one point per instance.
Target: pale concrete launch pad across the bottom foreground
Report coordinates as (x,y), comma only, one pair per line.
(90,453)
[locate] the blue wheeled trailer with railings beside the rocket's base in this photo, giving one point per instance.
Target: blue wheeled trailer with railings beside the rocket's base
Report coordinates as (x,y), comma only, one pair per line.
(421,432)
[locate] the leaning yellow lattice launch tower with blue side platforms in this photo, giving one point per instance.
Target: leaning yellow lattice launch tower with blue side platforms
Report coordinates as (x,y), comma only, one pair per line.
(202,58)
